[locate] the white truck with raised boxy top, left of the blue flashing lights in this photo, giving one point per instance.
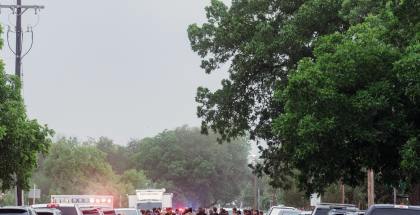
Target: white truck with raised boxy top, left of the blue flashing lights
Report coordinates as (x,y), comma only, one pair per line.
(150,198)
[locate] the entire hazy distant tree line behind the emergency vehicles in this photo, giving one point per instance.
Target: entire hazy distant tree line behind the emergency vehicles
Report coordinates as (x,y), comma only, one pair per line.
(195,167)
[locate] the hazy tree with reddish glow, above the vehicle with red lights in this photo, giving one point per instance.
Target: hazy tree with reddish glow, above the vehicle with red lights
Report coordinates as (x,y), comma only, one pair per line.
(74,168)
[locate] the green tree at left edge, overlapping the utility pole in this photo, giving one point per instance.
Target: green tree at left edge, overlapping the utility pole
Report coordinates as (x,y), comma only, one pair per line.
(21,138)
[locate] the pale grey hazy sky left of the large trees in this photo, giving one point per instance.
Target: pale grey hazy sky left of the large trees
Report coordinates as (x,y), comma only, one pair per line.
(122,69)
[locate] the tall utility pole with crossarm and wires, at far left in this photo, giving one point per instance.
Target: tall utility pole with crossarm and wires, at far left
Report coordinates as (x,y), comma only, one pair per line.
(19,10)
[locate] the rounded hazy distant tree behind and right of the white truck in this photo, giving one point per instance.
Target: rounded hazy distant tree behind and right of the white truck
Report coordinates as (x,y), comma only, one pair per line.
(195,165)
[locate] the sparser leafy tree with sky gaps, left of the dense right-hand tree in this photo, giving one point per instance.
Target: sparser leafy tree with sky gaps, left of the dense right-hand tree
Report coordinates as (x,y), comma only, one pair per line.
(261,41)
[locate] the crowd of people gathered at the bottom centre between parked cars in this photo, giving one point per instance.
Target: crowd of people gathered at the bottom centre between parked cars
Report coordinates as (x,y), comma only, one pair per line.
(201,211)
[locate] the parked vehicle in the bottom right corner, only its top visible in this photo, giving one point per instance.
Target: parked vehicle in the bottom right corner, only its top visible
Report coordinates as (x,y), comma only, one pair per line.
(393,210)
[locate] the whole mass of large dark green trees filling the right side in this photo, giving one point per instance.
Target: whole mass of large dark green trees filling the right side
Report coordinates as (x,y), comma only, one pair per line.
(263,42)
